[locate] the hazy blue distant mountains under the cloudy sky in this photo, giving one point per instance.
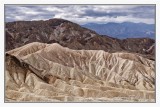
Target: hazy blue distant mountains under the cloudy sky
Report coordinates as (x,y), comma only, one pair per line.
(123,30)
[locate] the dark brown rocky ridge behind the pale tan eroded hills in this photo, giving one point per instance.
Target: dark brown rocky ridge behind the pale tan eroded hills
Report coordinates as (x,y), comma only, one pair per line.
(71,35)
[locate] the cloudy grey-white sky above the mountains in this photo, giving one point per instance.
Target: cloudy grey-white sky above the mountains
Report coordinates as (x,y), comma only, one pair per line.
(82,14)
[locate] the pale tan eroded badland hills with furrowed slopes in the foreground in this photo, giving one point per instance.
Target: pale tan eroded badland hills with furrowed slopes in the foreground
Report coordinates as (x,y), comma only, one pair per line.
(51,72)
